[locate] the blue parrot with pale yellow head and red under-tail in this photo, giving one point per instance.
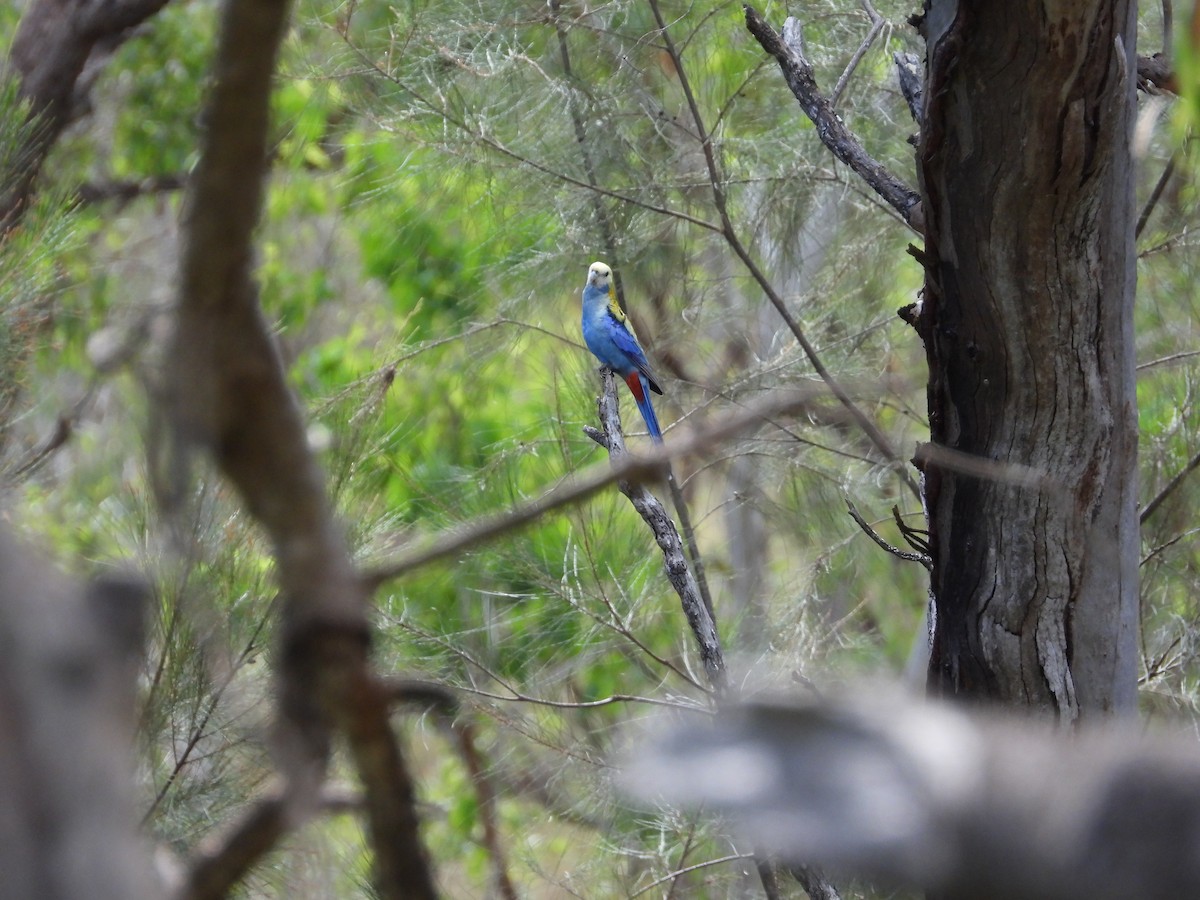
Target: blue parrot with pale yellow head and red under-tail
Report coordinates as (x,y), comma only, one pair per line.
(609,337)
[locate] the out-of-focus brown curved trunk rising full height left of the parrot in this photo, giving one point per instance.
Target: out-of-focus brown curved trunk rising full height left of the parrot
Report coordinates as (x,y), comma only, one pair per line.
(227,393)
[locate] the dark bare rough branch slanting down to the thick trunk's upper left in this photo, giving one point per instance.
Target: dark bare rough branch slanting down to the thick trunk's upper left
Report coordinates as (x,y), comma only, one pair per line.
(832,131)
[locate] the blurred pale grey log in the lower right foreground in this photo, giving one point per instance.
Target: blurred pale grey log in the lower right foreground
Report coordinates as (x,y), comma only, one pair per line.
(963,806)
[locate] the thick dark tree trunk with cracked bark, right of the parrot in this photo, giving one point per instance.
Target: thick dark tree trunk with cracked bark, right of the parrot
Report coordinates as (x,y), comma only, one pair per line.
(1027,178)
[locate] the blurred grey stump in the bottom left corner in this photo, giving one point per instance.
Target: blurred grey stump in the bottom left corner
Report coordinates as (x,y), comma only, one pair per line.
(69,663)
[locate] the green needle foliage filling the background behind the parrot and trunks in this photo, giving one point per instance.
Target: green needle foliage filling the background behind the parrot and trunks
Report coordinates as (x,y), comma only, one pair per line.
(443,176)
